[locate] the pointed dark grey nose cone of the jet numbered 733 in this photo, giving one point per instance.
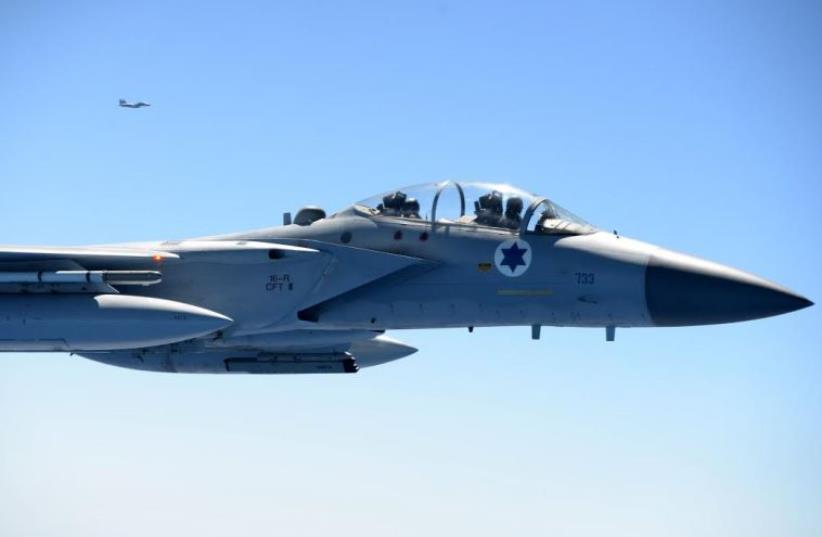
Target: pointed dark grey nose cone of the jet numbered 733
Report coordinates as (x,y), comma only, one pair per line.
(681,290)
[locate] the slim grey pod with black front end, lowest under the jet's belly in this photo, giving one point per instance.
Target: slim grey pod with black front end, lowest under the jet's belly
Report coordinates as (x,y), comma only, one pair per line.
(268,364)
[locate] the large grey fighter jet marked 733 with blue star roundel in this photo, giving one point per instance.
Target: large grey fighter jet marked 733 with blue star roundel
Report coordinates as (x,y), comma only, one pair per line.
(317,294)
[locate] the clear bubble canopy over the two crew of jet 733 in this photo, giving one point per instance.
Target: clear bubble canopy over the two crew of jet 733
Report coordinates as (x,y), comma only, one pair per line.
(489,205)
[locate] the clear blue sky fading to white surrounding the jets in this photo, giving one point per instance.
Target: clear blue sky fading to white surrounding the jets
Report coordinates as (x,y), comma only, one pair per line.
(694,125)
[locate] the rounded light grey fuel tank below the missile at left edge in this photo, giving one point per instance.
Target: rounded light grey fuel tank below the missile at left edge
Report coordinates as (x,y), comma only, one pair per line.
(73,322)
